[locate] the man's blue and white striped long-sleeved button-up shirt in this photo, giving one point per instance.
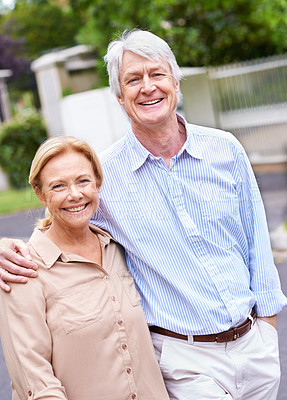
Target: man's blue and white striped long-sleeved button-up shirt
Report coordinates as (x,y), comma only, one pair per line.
(195,233)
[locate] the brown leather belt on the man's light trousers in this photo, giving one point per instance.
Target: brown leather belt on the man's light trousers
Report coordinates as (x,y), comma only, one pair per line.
(222,337)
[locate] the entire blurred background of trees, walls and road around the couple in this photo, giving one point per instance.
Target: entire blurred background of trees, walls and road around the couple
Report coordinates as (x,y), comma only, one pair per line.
(53,81)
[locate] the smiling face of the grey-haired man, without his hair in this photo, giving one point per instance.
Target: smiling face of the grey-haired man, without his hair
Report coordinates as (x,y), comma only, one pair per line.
(148,90)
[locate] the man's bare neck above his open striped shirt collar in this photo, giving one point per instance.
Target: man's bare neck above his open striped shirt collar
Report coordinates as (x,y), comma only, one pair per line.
(164,140)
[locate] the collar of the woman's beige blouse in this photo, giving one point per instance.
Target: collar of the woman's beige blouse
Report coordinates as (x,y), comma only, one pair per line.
(49,252)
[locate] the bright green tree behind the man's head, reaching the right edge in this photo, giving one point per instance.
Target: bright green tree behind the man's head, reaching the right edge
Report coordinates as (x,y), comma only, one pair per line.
(205,32)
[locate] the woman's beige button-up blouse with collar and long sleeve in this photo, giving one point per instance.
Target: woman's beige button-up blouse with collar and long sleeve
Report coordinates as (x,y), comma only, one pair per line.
(78,331)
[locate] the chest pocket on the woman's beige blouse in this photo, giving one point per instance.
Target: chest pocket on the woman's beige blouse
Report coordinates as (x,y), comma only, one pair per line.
(78,306)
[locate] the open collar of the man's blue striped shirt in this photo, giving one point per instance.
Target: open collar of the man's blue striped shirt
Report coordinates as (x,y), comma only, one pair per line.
(138,153)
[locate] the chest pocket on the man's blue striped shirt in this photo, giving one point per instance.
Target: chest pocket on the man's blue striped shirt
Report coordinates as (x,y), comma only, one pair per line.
(221,220)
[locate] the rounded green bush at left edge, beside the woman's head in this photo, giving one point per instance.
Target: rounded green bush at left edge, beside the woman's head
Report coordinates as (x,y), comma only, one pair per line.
(20,137)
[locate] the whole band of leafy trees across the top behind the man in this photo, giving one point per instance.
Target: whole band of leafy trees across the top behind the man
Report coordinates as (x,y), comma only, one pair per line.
(200,32)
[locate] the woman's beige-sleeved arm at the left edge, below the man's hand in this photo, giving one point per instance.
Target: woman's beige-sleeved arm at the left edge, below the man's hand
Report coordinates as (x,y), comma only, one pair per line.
(27,343)
